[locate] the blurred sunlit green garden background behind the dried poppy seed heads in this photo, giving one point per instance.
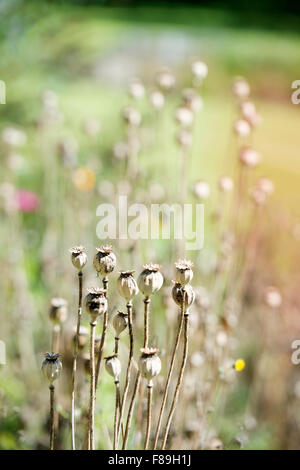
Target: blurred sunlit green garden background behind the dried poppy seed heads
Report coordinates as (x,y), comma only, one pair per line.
(67,69)
